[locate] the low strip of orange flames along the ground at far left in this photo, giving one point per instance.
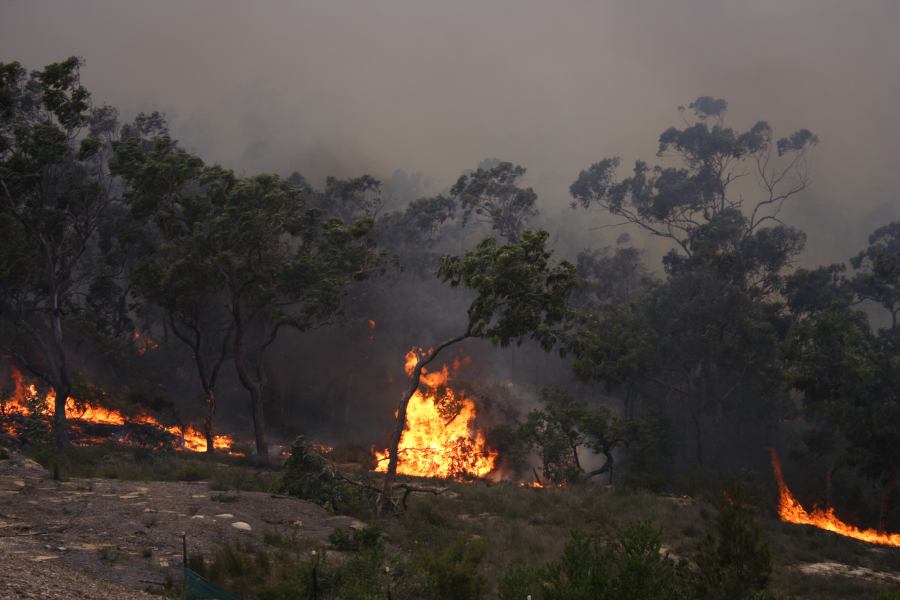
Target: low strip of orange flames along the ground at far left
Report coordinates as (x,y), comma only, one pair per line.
(26,394)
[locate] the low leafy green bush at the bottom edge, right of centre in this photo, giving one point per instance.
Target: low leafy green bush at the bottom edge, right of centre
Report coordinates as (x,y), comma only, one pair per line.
(594,568)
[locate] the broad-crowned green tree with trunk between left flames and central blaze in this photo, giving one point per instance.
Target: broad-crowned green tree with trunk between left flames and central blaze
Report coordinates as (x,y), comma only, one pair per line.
(282,264)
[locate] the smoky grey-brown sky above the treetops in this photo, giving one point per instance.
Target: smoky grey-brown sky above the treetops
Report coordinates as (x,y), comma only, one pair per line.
(345,87)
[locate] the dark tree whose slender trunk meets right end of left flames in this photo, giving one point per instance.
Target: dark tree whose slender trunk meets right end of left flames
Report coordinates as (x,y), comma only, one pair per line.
(173,200)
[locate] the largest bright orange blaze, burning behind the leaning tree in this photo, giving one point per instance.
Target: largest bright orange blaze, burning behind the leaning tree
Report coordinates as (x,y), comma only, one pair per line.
(432,445)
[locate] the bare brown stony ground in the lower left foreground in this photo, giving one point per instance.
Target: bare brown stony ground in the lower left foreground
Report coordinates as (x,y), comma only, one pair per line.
(104,538)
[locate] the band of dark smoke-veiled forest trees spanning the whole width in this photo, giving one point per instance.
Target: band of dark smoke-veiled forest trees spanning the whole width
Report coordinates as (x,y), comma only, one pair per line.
(112,230)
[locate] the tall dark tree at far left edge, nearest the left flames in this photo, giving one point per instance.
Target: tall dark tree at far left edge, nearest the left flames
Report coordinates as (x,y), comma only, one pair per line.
(55,194)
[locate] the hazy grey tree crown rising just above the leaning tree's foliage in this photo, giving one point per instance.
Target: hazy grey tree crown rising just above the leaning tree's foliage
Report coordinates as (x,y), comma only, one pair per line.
(493,196)
